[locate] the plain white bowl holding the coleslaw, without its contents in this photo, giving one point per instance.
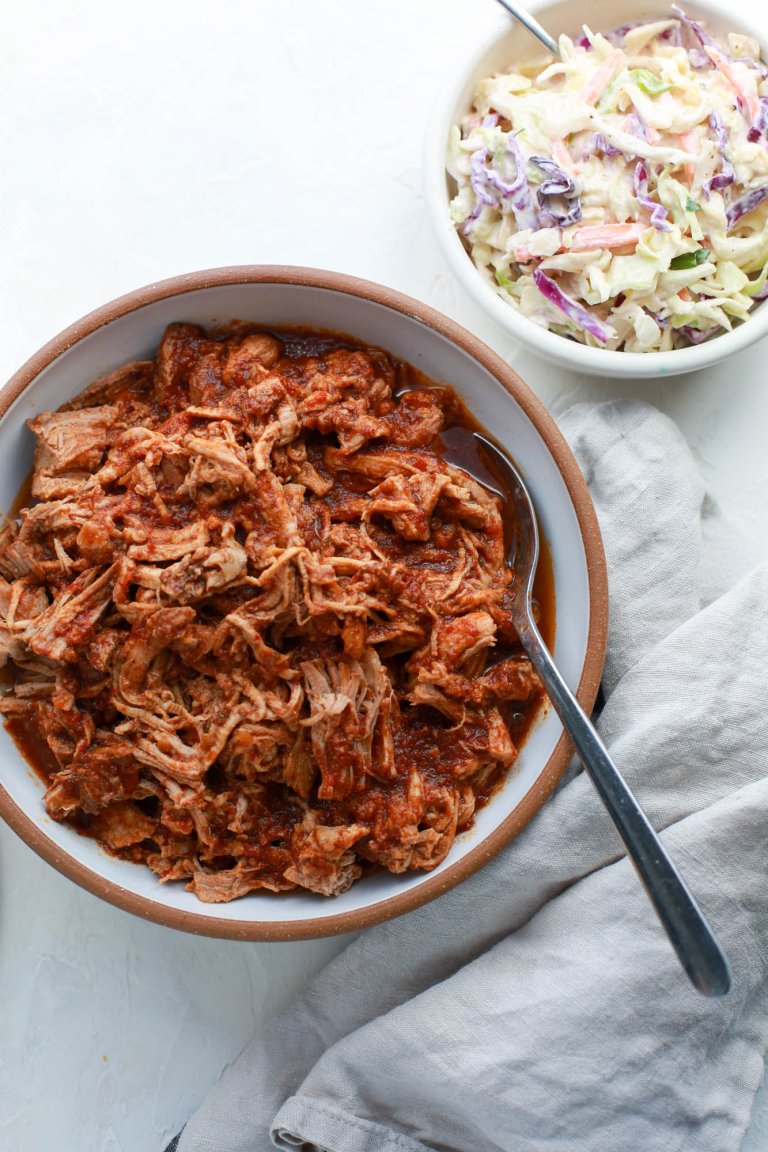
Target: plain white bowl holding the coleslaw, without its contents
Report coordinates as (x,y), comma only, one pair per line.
(510,44)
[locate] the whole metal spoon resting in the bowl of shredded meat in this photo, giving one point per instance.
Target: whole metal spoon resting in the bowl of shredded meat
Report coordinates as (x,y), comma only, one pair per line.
(682,919)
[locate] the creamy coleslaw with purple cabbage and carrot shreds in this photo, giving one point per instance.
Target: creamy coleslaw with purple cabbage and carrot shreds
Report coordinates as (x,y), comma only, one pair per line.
(619,196)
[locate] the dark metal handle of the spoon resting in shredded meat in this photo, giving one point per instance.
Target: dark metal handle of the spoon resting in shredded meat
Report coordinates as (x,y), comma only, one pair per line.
(682,919)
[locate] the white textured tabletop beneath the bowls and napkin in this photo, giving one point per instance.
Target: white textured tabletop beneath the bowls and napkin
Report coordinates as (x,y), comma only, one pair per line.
(145,140)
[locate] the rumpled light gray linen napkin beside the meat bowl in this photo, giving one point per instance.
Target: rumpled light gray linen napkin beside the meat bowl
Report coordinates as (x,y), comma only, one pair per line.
(539,1006)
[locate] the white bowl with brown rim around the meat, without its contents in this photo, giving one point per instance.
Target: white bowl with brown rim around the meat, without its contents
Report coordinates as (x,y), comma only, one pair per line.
(131,329)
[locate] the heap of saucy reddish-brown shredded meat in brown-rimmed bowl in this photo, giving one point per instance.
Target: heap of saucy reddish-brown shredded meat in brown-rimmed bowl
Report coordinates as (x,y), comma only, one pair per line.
(258,625)
